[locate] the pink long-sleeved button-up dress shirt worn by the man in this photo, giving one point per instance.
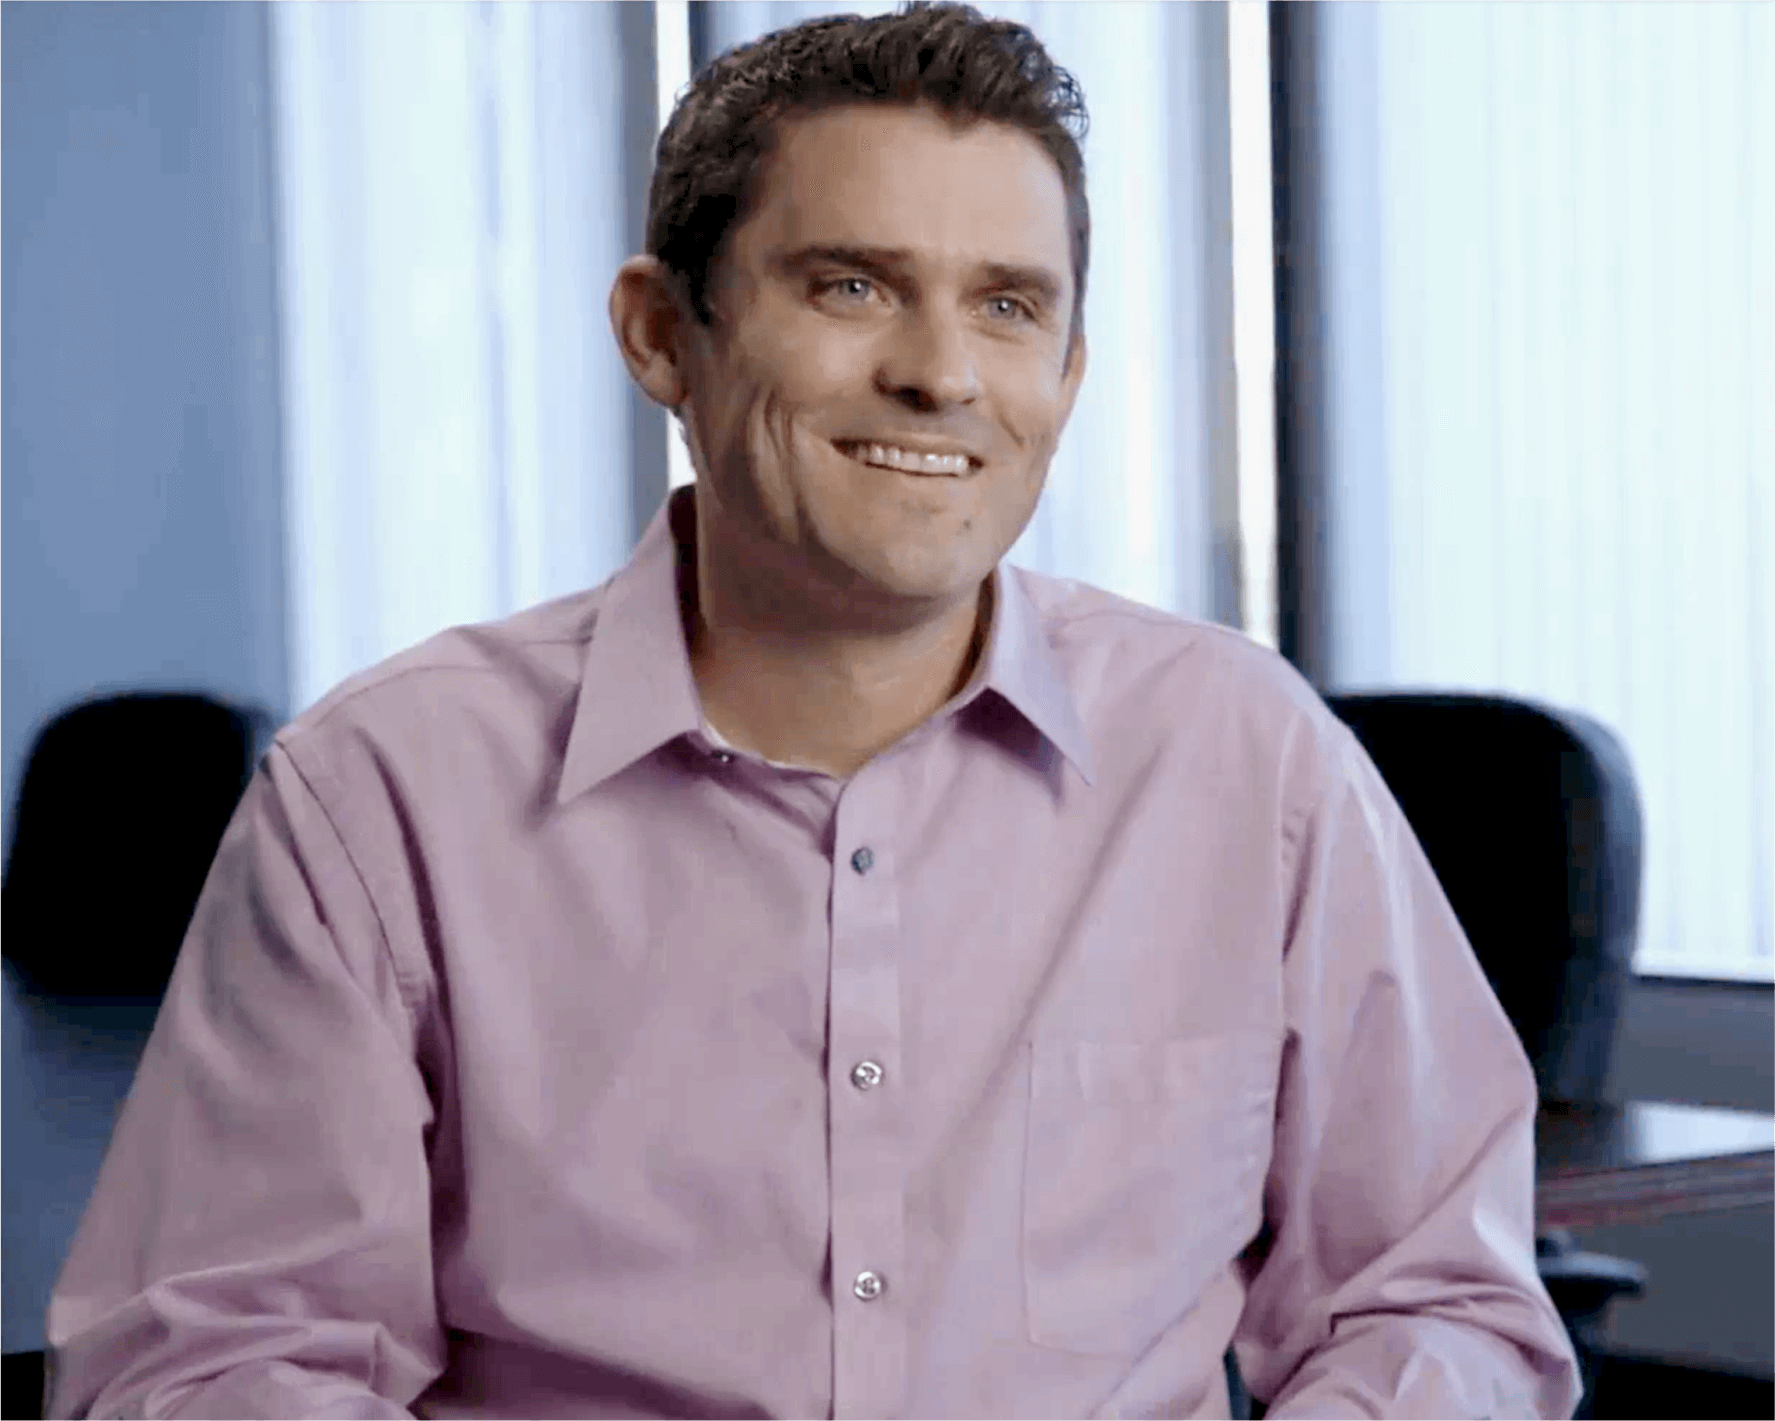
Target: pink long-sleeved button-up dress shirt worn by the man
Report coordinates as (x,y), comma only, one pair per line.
(535,1056)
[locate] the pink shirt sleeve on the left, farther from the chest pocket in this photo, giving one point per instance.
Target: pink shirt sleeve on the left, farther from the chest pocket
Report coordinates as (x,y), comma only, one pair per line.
(258,1243)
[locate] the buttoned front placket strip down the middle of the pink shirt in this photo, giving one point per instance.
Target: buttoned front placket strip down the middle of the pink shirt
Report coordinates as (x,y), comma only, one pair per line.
(865,1094)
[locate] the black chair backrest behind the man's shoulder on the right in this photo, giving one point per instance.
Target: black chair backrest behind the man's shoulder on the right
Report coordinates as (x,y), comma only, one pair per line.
(1531,819)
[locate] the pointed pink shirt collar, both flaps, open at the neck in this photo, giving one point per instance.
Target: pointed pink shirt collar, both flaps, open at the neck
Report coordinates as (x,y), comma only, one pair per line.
(638,691)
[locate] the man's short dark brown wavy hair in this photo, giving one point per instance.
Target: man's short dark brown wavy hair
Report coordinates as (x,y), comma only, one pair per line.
(947,56)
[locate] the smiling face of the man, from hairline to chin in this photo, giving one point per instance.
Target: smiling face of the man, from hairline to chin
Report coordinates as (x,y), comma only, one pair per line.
(903,287)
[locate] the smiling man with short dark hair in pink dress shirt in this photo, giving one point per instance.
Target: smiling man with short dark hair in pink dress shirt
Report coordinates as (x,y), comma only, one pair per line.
(824,971)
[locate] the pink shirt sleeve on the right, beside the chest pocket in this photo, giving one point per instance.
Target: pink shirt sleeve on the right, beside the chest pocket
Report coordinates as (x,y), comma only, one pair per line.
(1398,1273)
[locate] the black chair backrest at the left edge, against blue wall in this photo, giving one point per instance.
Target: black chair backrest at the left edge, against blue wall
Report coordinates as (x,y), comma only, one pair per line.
(116,826)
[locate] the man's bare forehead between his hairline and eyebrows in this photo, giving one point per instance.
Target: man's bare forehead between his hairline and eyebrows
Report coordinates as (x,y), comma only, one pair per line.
(887,177)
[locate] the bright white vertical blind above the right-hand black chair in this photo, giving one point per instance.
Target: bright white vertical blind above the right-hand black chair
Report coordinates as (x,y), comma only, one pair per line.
(1577,313)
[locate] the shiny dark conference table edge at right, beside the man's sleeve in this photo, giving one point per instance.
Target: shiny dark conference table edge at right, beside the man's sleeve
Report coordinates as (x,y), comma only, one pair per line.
(1641,1161)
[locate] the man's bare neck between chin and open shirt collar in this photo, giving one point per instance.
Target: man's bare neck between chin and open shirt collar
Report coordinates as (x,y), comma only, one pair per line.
(826,700)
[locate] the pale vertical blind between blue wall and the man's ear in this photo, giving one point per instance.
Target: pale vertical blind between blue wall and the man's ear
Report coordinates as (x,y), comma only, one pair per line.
(459,184)
